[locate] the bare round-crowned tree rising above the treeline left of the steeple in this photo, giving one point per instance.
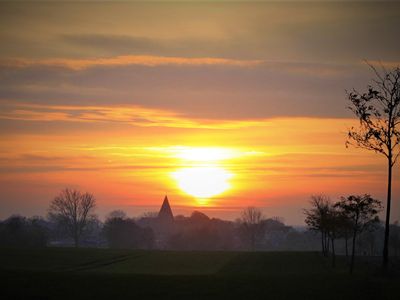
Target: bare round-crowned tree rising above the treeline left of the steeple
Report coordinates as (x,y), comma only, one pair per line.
(71,209)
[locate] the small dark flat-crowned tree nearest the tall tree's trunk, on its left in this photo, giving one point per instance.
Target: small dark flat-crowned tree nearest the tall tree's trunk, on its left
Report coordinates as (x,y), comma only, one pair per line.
(362,212)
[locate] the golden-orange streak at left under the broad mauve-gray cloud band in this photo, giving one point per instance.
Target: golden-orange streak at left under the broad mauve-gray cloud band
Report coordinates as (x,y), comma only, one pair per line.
(131,115)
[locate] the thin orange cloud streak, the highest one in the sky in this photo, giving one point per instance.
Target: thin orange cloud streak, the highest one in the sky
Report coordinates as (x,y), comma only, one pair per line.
(126,60)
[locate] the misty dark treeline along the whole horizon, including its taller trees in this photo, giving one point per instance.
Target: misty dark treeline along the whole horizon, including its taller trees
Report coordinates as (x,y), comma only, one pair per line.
(348,227)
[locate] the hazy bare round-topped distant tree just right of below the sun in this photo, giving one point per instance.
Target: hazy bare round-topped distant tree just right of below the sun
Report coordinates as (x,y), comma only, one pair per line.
(251,225)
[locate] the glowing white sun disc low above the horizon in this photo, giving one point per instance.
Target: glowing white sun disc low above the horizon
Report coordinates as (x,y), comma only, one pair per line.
(203,182)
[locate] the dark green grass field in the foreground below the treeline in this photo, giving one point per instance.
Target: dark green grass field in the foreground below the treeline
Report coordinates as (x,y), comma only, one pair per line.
(62,273)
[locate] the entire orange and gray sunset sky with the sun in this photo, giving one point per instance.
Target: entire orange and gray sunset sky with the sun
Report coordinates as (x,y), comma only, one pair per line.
(219,105)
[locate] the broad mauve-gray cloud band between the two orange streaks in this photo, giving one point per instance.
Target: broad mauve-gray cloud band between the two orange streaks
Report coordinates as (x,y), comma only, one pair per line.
(267,90)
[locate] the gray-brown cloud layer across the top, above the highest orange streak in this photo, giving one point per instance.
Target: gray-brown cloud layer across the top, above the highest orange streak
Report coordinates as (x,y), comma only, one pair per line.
(335,32)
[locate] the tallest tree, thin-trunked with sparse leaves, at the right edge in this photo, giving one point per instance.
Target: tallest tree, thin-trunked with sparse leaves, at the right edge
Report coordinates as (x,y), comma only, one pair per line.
(378,111)
